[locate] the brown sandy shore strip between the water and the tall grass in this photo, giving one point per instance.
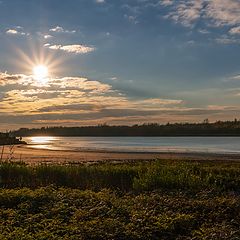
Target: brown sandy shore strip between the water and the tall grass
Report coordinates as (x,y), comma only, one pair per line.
(36,156)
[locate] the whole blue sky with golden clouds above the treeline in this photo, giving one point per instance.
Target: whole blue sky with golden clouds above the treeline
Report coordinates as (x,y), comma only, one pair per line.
(118,62)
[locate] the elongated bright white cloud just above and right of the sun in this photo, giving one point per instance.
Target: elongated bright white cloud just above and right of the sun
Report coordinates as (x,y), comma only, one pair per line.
(75,48)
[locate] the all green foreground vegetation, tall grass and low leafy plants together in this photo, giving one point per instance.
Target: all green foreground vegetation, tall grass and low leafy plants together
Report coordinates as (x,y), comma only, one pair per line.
(154,200)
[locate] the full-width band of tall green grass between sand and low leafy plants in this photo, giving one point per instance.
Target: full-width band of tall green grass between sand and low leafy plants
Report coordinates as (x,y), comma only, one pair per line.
(138,177)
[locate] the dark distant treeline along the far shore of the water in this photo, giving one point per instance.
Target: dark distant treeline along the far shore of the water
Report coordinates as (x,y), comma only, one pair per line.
(219,128)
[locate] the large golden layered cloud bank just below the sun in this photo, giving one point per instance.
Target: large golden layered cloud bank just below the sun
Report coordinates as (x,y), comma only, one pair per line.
(81,101)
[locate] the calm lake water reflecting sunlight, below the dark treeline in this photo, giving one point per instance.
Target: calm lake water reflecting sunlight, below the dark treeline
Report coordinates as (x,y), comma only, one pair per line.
(138,144)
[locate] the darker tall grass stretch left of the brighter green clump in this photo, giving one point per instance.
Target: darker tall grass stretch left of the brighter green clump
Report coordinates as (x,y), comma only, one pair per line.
(80,176)
